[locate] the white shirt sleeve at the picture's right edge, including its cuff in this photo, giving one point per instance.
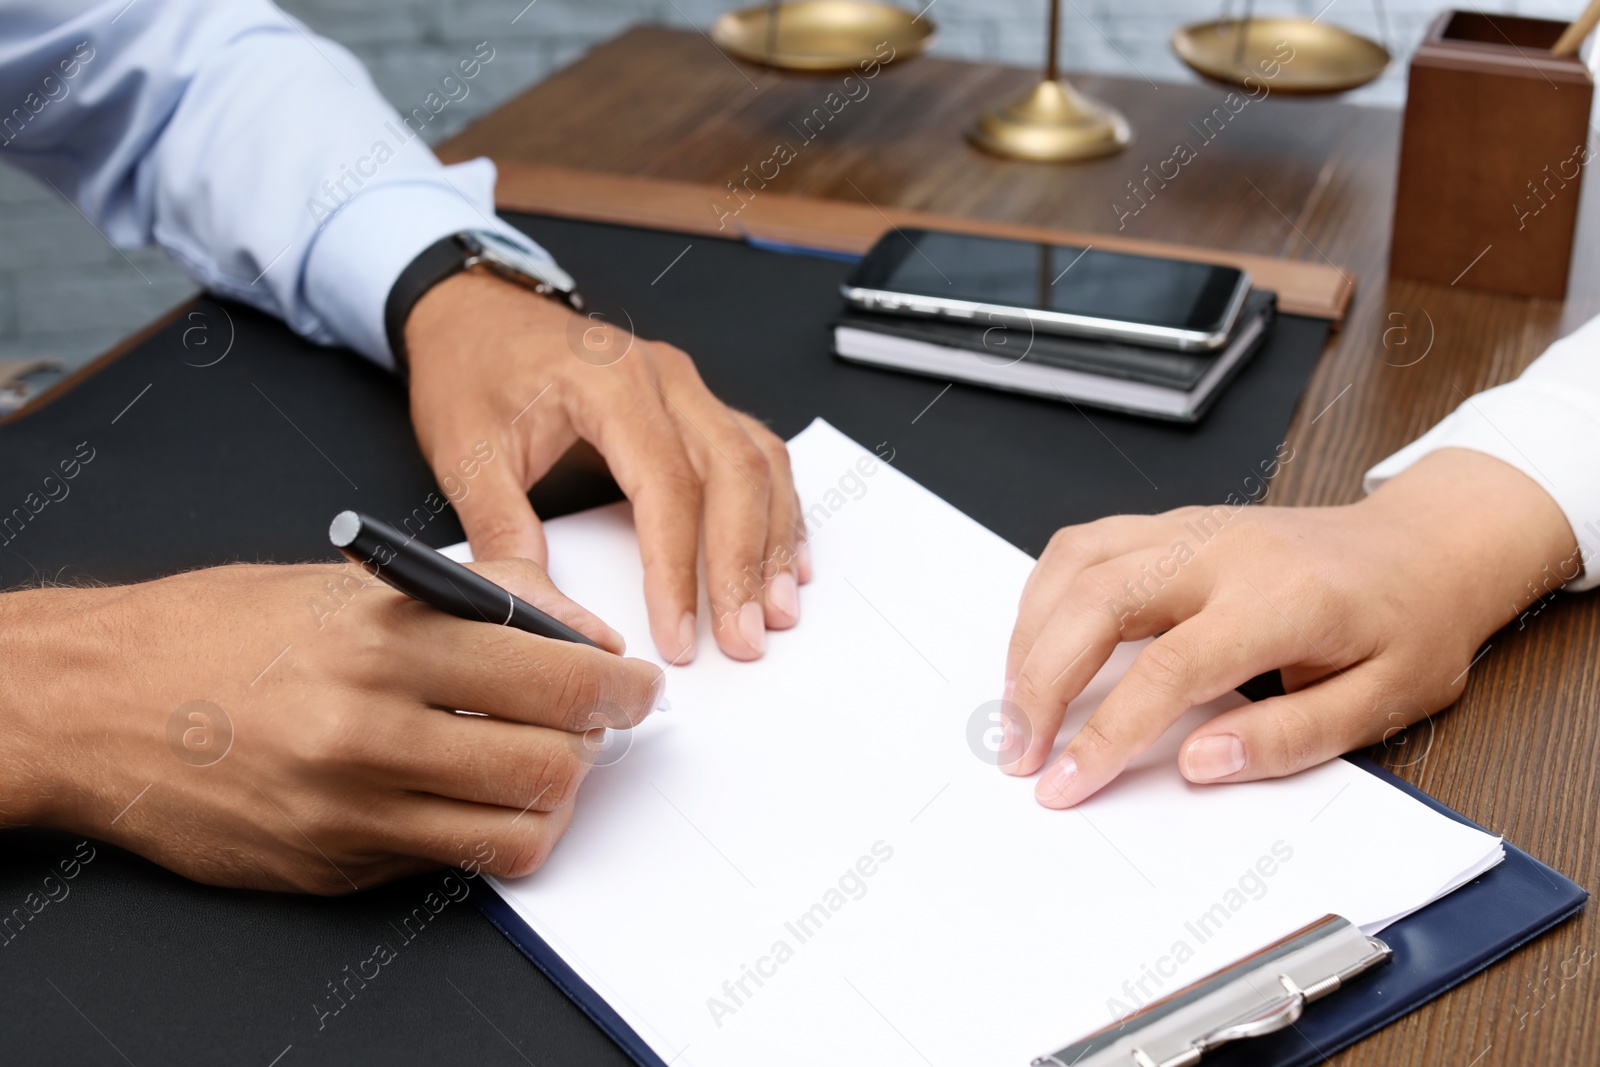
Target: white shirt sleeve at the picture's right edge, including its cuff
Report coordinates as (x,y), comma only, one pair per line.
(1548,426)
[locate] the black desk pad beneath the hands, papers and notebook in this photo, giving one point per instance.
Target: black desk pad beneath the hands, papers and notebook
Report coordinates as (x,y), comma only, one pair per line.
(204,458)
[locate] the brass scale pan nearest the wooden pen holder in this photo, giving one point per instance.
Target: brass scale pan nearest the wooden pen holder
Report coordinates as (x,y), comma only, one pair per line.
(1326,58)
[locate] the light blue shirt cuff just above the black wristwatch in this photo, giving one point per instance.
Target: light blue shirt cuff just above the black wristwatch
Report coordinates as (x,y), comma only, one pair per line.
(362,250)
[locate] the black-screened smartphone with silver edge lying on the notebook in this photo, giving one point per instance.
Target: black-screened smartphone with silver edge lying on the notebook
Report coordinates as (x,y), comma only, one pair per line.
(1055,289)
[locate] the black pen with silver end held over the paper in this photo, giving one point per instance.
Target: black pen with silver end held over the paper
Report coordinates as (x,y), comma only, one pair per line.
(436,580)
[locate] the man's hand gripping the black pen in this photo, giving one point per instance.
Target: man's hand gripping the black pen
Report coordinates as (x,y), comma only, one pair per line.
(343,764)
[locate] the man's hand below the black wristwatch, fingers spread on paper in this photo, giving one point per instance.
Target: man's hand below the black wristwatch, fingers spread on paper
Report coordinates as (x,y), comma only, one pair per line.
(494,362)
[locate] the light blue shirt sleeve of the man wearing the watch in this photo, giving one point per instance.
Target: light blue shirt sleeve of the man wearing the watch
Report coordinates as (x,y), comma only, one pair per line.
(255,153)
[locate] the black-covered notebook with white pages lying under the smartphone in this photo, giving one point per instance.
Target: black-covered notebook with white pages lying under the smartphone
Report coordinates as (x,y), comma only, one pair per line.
(1140,380)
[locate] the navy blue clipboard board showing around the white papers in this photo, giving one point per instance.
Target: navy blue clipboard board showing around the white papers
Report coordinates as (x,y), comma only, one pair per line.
(1434,951)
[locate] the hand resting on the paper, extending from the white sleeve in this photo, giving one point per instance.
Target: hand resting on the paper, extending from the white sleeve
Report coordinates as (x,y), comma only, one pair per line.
(1372,613)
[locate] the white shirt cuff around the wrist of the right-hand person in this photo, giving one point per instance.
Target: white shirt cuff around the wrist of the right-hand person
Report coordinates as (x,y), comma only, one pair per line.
(1537,430)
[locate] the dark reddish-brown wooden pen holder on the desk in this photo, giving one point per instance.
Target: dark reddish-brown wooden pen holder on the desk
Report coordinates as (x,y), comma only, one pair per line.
(1492,156)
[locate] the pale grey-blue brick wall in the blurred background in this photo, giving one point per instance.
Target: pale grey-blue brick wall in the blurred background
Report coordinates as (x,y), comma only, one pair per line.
(54,266)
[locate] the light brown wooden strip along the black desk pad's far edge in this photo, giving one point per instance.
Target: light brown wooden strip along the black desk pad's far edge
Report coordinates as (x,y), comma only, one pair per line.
(1305,289)
